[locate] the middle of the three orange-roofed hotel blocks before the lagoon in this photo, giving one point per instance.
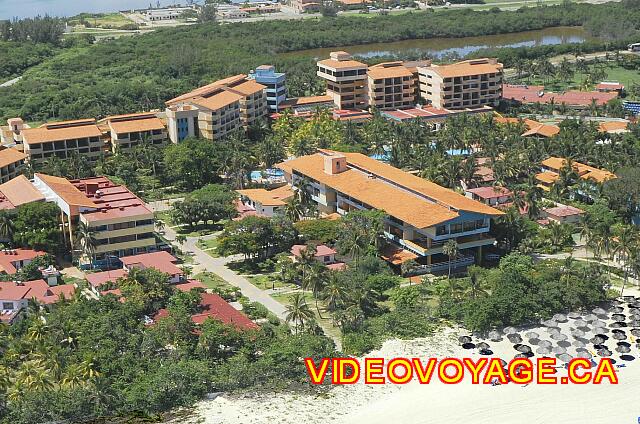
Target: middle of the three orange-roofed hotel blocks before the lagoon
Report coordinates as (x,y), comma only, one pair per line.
(391,86)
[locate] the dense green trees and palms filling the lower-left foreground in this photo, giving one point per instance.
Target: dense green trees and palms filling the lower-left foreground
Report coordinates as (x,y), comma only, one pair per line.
(85,358)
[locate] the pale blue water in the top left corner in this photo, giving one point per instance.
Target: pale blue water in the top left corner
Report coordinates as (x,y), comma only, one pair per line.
(28,8)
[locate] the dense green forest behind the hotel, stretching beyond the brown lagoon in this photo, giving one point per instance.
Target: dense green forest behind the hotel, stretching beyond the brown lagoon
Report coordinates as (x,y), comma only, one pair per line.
(140,73)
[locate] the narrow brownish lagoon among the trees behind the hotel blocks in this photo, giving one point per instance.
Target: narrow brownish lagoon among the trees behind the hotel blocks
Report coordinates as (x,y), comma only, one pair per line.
(439,47)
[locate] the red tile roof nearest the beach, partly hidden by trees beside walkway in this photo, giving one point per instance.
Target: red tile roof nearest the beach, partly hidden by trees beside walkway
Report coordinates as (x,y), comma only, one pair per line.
(215,307)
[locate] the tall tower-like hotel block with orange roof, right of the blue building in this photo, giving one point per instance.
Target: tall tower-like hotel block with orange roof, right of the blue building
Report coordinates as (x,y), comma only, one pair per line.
(346,80)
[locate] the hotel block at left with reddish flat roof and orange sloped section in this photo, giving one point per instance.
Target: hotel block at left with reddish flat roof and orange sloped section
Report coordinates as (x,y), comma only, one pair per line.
(122,223)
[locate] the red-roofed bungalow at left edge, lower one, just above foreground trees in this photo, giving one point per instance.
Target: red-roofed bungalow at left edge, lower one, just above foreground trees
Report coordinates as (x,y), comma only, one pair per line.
(14,296)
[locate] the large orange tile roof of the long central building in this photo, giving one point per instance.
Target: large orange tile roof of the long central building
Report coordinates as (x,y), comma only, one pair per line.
(390,198)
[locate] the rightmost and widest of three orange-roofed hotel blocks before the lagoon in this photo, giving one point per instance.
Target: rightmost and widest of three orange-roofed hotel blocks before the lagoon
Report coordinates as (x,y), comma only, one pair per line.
(468,84)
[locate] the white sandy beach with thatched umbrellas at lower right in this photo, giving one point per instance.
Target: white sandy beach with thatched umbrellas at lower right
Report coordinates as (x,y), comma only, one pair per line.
(440,403)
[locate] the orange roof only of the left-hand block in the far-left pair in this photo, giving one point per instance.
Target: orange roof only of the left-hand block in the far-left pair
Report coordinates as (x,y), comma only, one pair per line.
(58,131)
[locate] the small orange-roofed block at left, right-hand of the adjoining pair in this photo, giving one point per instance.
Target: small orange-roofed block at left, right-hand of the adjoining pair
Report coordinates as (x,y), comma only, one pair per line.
(126,131)
